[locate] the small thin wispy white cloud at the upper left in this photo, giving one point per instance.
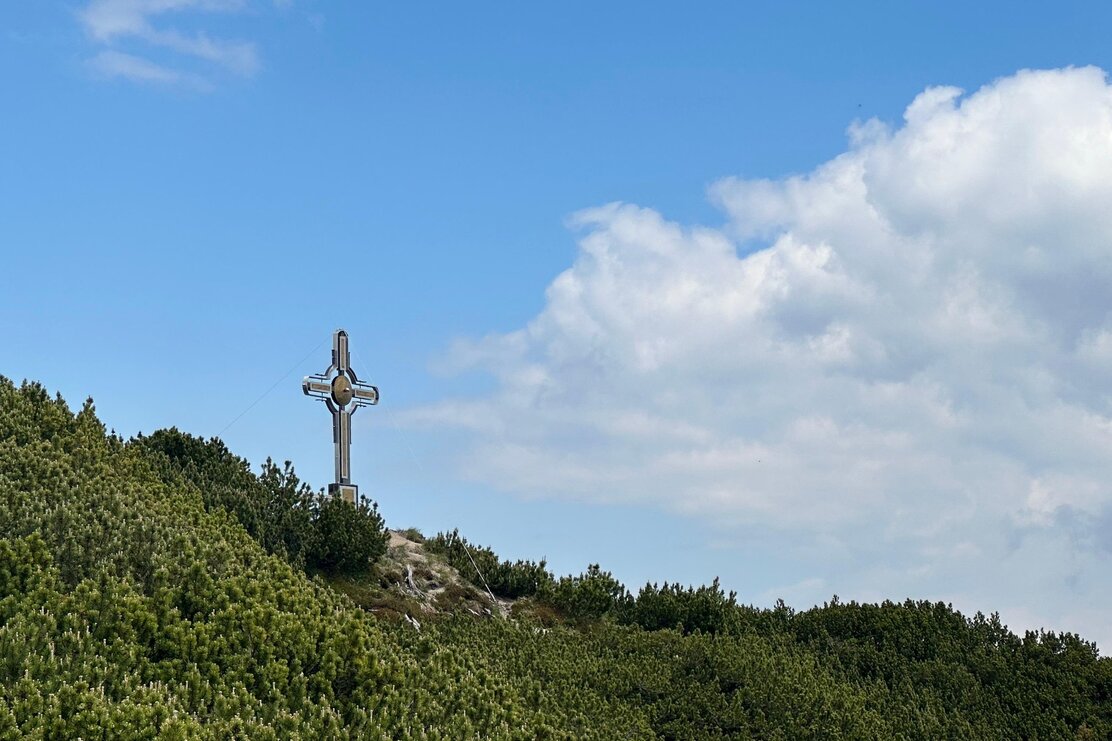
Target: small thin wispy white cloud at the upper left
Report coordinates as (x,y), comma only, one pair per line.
(114,23)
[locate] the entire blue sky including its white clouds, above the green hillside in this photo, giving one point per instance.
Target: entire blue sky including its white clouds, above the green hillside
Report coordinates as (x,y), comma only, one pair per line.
(194,195)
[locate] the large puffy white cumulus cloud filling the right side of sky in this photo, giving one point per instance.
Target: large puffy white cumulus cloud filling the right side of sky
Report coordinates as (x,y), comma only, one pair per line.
(907,383)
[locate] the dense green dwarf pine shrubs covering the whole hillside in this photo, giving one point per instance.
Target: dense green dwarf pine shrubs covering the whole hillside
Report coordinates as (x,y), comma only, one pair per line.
(160,589)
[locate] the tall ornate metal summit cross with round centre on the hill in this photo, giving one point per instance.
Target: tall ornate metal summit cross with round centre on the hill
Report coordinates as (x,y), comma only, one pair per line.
(343,393)
